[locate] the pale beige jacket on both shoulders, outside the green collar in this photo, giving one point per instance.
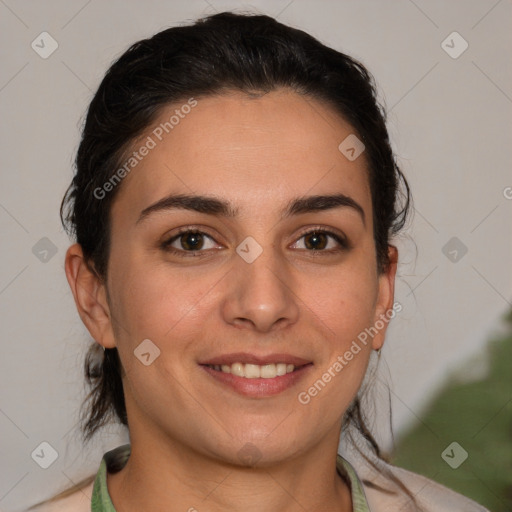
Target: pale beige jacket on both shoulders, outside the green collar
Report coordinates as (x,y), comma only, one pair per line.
(430,496)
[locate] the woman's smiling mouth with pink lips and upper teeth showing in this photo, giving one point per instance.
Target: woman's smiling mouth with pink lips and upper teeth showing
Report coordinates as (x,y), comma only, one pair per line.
(257,377)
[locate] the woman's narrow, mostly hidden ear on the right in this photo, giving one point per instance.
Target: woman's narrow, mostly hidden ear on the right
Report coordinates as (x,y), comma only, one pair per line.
(384,310)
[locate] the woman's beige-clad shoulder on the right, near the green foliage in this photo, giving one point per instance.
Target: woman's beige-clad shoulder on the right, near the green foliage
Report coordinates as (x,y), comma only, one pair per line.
(430,496)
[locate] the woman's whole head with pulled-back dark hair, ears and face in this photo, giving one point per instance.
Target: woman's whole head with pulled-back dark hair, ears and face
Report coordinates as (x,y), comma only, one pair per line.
(272,151)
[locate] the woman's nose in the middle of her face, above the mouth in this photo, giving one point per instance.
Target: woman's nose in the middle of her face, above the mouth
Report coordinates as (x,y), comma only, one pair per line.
(260,296)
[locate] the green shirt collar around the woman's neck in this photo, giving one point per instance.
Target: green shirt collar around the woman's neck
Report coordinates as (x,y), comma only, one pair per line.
(115,459)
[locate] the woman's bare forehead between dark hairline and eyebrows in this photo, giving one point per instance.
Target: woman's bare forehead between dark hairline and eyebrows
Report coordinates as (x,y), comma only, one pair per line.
(242,148)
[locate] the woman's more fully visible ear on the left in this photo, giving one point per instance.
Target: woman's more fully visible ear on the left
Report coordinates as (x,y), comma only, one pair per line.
(90,297)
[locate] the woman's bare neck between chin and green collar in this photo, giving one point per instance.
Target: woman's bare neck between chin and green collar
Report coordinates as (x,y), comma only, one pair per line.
(162,475)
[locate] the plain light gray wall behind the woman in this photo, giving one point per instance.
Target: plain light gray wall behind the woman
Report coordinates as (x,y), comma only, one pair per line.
(450,121)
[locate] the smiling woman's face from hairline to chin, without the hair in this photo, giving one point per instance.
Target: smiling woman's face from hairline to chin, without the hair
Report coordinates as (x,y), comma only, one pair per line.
(249,284)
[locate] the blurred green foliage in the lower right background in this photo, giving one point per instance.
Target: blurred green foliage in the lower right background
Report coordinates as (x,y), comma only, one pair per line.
(478,416)
